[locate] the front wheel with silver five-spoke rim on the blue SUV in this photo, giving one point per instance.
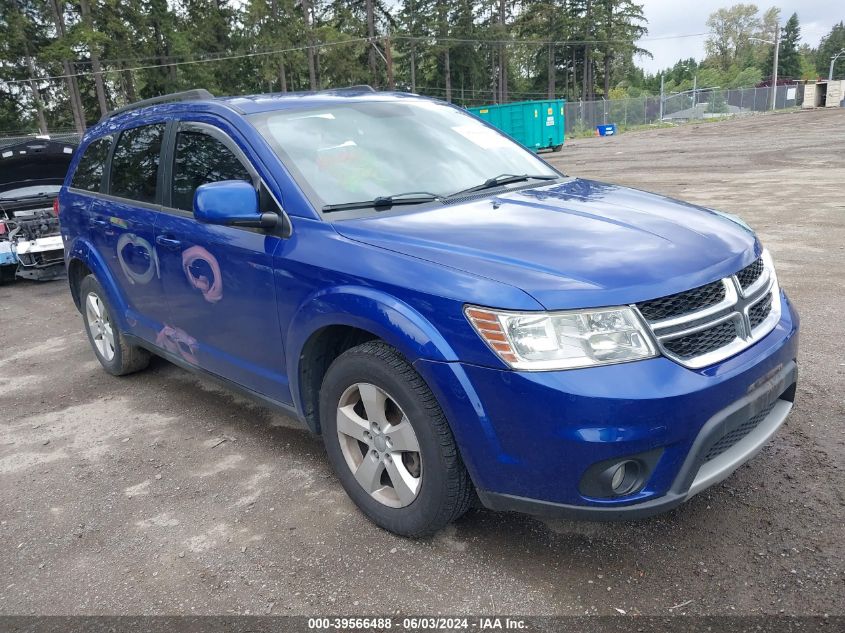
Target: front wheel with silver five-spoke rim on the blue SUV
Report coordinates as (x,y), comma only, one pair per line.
(434,486)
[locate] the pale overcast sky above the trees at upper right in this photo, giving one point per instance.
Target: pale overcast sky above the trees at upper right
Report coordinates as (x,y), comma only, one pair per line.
(675,17)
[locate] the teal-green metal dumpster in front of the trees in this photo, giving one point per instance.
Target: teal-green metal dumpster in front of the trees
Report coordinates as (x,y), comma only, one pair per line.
(536,124)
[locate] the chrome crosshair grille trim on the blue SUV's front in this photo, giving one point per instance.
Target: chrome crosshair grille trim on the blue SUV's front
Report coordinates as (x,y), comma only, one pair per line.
(735,307)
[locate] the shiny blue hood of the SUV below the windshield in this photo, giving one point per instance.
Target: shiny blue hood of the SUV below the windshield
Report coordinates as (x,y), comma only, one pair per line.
(577,243)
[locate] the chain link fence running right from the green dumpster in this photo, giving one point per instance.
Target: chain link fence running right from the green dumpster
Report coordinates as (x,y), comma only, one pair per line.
(582,117)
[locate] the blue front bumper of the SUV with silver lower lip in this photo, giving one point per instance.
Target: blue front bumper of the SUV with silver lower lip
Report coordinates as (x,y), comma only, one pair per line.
(528,438)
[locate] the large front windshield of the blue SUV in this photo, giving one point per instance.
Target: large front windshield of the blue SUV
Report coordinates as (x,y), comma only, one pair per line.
(356,151)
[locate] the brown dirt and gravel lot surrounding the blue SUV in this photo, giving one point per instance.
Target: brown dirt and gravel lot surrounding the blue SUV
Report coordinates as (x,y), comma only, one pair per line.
(162,493)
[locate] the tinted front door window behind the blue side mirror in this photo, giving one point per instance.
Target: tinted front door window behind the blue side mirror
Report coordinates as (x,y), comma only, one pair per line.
(199,159)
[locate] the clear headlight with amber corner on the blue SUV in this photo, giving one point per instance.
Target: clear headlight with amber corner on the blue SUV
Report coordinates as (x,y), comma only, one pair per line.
(563,340)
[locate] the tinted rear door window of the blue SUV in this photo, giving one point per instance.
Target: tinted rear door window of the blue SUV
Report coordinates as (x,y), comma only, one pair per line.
(134,167)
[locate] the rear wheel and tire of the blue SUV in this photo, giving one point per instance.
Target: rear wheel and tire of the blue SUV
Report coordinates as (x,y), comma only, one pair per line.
(115,355)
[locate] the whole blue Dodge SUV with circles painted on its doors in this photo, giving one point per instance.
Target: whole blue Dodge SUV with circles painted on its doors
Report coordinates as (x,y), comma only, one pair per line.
(459,320)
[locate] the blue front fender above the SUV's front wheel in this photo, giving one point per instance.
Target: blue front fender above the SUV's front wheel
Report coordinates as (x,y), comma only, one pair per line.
(324,279)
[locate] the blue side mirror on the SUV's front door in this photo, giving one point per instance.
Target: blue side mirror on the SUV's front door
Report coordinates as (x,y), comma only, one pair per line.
(231,203)
